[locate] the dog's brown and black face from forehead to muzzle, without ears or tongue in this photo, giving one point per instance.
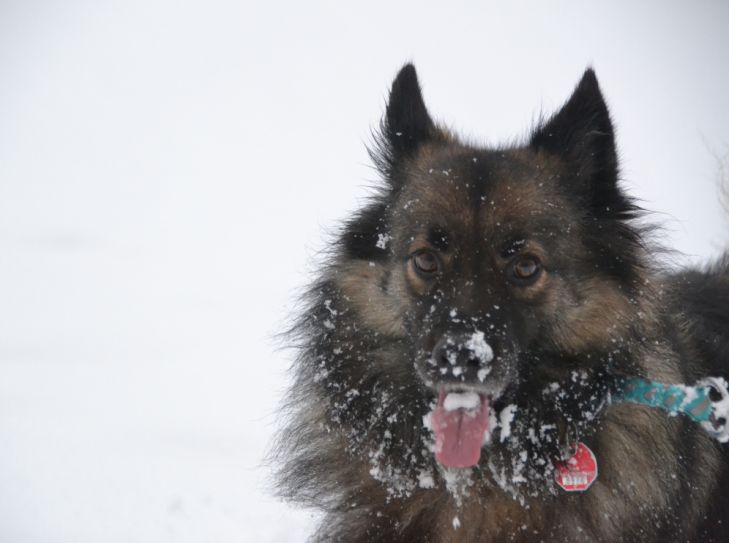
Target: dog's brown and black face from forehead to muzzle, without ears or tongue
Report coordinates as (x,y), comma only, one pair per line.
(483,249)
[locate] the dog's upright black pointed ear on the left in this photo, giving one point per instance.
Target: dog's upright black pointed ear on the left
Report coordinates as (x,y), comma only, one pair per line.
(407,123)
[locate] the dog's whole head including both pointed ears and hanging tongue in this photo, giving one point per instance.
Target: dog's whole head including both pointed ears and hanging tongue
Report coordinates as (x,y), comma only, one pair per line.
(494,272)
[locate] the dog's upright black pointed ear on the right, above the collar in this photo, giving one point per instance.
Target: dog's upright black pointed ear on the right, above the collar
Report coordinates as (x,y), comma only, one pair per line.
(581,133)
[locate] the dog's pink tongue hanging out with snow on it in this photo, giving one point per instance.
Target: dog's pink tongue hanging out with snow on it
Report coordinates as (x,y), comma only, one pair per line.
(459,432)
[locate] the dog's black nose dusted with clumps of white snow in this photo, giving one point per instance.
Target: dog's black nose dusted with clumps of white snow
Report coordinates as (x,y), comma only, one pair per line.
(461,357)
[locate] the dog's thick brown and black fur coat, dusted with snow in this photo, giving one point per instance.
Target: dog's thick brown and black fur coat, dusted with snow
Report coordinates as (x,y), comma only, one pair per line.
(355,445)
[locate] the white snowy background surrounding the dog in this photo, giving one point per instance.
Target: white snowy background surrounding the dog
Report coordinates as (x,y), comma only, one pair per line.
(168,171)
